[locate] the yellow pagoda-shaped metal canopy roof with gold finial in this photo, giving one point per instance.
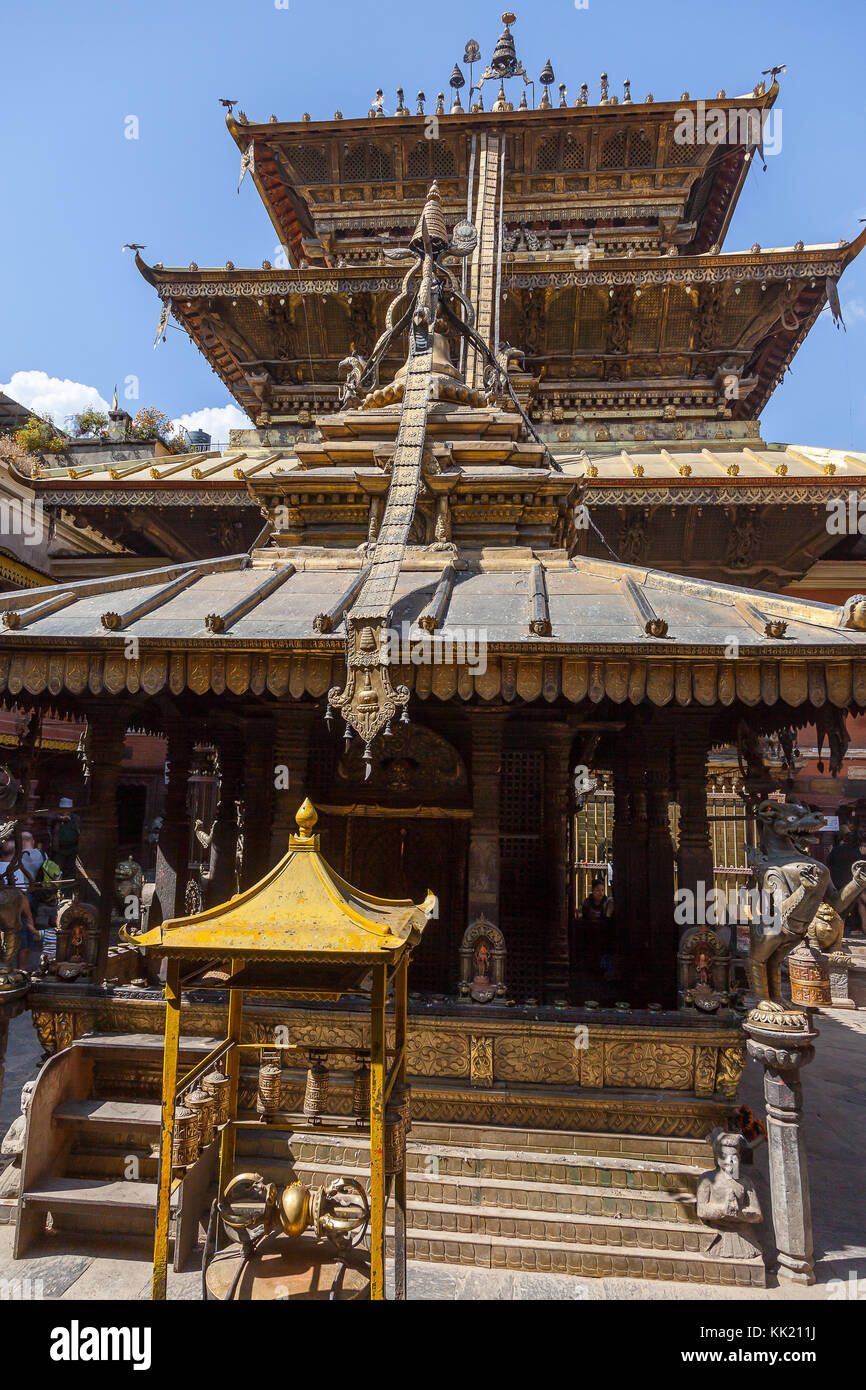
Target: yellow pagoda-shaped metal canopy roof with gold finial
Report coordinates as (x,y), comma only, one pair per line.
(301,913)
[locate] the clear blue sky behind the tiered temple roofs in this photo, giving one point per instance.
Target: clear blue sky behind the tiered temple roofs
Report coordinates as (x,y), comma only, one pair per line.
(77,311)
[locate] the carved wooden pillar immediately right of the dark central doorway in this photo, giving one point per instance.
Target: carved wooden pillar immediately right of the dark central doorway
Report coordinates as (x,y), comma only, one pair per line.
(487,732)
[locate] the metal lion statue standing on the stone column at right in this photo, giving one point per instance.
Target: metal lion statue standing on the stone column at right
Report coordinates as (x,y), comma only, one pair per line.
(797,889)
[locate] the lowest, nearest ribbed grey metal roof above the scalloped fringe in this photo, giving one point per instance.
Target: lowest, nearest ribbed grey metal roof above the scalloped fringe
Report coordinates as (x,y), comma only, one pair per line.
(509,597)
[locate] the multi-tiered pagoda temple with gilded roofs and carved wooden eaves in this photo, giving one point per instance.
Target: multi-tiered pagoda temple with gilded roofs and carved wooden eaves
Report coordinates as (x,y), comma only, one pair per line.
(505,370)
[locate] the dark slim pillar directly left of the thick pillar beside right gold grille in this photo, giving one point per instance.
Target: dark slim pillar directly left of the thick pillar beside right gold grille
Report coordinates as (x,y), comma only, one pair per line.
(661,931)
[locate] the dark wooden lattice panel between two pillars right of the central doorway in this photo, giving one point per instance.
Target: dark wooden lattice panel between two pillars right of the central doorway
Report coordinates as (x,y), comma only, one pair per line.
(525,879)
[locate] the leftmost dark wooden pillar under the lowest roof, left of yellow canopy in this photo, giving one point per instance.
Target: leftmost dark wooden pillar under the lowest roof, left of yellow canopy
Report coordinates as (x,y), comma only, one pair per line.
(98,846)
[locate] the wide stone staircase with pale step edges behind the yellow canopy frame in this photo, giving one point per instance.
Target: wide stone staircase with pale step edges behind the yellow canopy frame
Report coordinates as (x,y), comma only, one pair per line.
(548,1202)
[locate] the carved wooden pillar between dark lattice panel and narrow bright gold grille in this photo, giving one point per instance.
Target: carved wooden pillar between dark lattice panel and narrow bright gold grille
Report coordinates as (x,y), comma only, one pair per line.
(558,854)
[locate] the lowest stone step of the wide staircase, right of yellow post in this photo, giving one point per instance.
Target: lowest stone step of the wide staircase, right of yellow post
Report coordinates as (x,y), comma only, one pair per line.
(589,1261)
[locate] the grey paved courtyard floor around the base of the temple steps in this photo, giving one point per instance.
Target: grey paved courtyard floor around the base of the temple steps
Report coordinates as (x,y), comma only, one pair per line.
(835,1090)
